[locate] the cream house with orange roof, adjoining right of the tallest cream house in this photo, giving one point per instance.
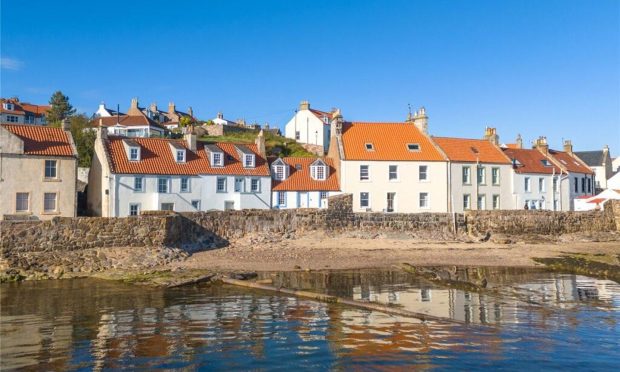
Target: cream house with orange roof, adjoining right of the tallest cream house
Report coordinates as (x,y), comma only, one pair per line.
(479,173)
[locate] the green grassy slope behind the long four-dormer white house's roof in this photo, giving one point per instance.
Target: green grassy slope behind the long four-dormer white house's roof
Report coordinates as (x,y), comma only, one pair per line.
(273,143)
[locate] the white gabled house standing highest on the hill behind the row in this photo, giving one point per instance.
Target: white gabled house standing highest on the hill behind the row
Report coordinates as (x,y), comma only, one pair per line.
(310,126)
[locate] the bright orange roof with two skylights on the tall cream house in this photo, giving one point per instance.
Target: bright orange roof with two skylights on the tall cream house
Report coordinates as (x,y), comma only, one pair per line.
(389,142)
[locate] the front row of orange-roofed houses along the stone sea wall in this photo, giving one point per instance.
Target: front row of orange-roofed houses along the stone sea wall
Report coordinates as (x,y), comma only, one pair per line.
(387,166)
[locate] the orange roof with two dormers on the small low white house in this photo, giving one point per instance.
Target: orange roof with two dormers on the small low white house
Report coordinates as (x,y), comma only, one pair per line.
(300,180)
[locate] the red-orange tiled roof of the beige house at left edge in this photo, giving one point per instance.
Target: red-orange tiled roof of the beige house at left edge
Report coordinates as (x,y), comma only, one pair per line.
(39,140)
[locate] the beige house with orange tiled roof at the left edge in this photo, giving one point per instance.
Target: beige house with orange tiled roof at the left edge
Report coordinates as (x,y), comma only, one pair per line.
(38,172)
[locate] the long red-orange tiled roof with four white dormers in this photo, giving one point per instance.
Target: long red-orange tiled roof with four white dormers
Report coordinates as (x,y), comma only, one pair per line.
(157,158)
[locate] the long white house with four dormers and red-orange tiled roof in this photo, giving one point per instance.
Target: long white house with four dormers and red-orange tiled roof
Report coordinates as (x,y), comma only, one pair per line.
(130,175)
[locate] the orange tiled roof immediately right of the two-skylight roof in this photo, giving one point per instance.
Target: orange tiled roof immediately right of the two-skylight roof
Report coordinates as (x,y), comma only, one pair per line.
(471,150)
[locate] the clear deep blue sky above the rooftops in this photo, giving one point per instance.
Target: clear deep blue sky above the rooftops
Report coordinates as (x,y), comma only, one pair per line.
(533,67)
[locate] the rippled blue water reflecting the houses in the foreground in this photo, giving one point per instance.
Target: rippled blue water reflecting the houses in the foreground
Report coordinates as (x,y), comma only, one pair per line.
(528,319)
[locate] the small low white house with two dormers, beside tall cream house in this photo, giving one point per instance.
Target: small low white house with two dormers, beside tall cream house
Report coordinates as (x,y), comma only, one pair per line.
(303,182)
